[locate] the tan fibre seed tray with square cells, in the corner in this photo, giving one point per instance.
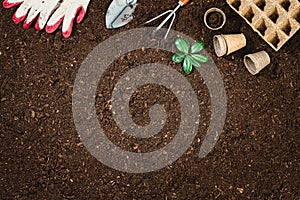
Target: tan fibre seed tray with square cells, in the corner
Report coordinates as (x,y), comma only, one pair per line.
(276,21)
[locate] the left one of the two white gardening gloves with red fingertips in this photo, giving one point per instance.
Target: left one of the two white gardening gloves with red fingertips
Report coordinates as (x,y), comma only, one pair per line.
(32,9)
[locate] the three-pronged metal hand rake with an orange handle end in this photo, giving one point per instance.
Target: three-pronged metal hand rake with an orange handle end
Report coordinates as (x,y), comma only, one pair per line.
(172,13)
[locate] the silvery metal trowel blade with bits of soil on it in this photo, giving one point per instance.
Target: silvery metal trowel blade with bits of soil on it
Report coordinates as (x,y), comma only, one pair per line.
(119,13)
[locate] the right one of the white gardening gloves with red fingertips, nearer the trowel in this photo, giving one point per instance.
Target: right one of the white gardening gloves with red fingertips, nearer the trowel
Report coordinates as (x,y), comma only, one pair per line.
(66,13)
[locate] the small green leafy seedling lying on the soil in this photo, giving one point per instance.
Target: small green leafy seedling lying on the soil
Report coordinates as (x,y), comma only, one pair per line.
(189,55)
